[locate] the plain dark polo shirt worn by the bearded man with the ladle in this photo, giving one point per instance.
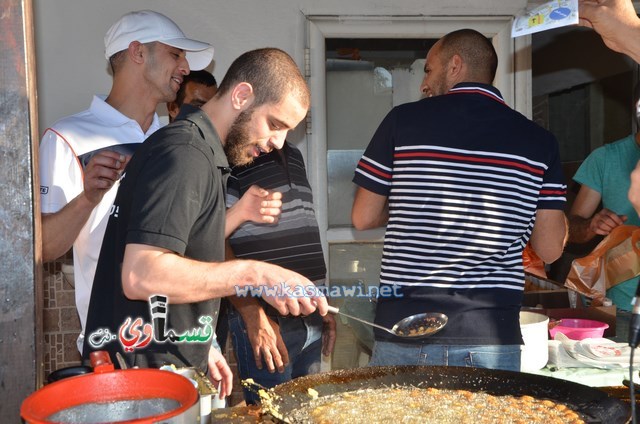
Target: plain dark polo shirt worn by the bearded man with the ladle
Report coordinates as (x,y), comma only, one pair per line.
(171,196)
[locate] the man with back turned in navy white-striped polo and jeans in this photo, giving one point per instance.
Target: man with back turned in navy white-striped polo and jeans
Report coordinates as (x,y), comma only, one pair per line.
(462,182)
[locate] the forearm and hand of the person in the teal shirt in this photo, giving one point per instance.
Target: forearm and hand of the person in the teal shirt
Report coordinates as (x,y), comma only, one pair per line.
(584,224)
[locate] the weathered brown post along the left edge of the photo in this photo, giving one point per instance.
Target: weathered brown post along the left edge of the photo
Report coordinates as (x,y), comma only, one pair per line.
(20,261)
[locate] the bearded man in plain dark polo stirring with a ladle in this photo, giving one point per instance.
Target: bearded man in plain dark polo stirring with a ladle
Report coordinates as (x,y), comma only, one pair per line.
(165,236)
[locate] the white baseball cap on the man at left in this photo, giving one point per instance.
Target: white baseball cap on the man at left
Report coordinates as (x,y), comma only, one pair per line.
(147,26)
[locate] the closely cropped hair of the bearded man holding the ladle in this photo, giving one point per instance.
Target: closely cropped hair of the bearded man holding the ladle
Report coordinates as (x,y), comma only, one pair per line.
(272,73)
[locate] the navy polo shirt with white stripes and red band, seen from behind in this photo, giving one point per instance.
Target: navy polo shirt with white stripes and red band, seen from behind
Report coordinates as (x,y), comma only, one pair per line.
(464,175)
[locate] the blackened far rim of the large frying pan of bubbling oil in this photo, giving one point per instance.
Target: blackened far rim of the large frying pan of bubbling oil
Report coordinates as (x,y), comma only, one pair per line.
(594,405)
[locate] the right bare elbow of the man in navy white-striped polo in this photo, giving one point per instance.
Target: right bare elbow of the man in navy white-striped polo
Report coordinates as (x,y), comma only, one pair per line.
(549,234)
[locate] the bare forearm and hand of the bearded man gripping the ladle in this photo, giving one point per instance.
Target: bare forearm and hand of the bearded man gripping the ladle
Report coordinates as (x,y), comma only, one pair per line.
(147,270)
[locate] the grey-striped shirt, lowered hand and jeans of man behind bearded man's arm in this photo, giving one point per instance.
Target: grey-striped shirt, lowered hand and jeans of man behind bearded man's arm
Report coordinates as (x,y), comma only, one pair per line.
(264,340)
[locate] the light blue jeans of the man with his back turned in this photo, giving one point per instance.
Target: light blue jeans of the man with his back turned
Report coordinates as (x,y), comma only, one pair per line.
(502,357)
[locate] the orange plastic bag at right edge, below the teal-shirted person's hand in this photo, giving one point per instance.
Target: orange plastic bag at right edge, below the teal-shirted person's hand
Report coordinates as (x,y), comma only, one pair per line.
(614,260)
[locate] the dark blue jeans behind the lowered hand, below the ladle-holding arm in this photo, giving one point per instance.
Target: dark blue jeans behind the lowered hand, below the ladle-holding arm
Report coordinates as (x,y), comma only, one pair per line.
(301,335)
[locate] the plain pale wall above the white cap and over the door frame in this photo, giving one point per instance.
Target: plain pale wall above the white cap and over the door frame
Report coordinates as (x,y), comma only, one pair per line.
(70,50)
